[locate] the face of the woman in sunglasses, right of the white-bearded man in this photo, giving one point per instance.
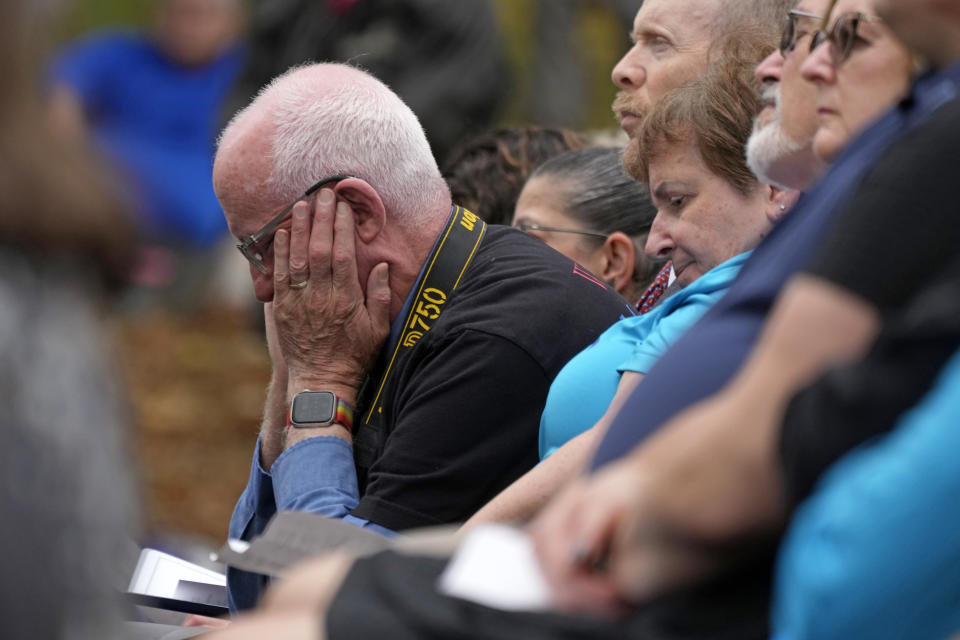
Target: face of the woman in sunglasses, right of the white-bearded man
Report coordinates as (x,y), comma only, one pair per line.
(860,69)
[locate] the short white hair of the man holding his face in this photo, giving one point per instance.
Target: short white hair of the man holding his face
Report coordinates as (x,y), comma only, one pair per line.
(348,125)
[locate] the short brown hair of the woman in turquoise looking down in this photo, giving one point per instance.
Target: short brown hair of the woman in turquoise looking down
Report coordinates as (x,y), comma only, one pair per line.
(715,112)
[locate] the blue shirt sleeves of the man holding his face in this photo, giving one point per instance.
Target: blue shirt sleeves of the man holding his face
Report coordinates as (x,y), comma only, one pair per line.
(316,475)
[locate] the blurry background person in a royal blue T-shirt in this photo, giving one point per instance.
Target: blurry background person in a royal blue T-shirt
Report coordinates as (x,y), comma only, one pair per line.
(151,102)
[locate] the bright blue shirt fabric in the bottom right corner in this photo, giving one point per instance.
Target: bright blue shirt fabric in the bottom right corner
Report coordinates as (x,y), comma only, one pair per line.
(873,553)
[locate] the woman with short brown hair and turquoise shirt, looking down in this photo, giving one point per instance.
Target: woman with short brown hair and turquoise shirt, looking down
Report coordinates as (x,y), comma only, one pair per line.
(711,211)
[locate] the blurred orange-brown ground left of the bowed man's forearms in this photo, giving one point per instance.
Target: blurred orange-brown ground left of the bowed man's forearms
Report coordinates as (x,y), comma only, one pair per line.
(197,385)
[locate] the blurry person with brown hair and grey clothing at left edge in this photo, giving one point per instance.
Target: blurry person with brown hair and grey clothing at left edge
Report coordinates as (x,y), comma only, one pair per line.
(67,497)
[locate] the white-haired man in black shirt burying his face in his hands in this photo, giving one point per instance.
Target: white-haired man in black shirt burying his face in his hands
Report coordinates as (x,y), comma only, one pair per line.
(328,181)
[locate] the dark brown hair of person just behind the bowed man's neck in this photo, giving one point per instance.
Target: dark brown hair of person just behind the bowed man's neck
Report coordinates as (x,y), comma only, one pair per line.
(486,173)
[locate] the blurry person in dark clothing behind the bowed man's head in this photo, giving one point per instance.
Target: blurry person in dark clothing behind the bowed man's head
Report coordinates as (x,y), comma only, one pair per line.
(445,60)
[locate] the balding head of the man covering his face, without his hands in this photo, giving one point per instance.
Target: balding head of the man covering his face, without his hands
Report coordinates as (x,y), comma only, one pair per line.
(325,120)
